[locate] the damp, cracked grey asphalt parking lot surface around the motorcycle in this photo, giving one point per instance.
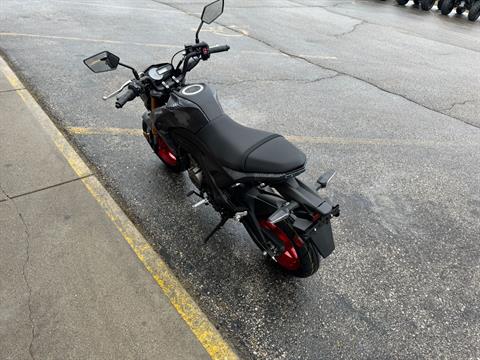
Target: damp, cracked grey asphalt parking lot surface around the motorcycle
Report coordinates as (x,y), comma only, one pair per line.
(386,95)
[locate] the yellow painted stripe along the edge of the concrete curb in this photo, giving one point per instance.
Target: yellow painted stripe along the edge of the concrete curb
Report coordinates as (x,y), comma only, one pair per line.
(199,324)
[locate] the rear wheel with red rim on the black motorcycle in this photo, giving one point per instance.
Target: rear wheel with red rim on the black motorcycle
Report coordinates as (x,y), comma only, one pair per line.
(299,258)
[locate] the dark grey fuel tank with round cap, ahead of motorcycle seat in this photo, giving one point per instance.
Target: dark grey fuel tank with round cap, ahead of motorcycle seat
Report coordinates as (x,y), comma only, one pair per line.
(191,107)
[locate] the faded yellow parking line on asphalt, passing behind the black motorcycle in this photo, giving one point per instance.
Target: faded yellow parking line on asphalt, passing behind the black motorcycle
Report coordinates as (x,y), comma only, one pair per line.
(292,138)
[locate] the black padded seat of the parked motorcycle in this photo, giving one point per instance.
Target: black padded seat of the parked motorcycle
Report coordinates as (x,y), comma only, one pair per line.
(250,150)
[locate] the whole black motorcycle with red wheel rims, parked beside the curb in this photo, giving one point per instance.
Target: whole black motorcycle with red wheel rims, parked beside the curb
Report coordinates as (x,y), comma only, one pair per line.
(245,174)
